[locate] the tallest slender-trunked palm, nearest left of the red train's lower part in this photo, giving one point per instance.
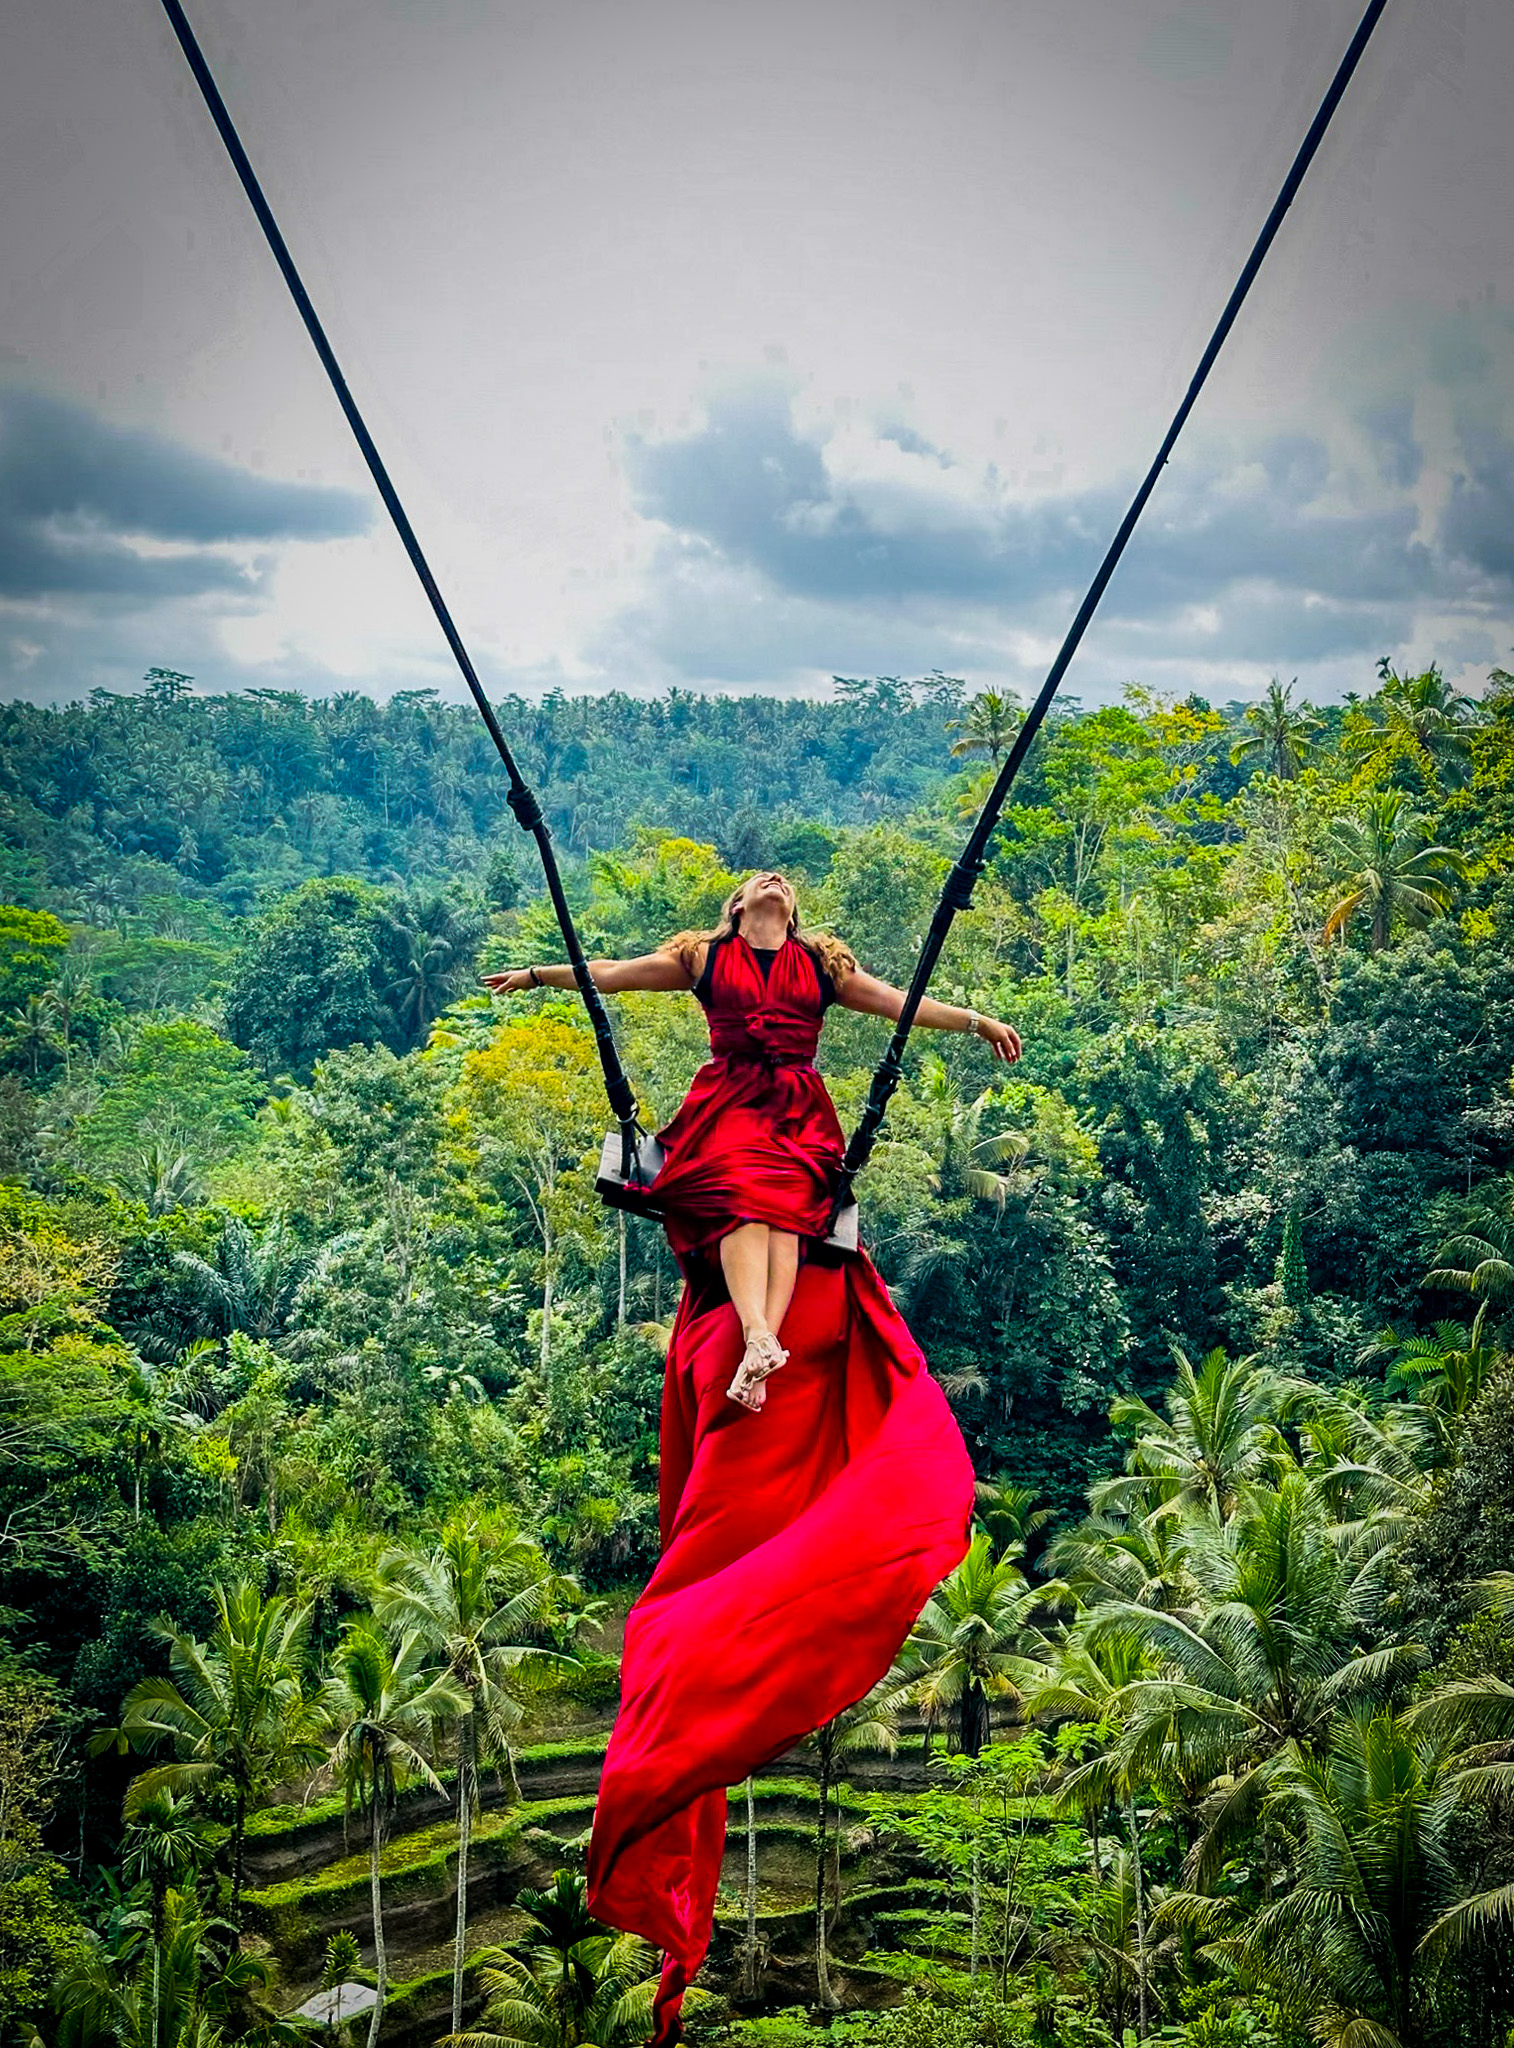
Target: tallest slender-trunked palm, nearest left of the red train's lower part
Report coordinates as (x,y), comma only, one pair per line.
(472,1603)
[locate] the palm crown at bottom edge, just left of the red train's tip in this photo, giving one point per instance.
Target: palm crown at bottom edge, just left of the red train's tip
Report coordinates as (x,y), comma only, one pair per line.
(581,1986)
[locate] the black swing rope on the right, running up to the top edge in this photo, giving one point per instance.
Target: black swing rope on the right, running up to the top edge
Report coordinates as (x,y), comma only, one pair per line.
(970,865)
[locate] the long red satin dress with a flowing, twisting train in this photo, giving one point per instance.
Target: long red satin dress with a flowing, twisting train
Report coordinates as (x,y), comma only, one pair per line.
(798,1543)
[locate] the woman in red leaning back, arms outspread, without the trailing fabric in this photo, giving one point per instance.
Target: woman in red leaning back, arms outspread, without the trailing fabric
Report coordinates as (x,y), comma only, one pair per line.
(751,1158)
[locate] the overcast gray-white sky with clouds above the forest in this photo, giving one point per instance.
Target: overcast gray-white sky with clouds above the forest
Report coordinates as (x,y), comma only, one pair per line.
(745,343)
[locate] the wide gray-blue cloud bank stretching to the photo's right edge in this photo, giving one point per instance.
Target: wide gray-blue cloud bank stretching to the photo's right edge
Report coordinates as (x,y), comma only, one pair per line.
(1265,554)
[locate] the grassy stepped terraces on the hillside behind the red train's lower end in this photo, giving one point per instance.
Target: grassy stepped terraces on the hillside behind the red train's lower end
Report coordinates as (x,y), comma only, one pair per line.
(308,1875)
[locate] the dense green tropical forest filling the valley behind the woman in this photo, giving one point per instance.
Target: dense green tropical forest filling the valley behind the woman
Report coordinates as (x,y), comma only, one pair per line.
(331,1392)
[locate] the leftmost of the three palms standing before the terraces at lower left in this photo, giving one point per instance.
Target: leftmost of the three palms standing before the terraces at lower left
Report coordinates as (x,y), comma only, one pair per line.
(235,1709)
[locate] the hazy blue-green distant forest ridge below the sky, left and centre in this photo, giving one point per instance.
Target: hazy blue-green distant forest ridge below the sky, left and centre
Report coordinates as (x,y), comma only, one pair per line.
(165,794)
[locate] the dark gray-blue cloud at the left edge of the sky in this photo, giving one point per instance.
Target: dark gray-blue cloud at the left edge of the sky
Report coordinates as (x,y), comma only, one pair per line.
(79,499)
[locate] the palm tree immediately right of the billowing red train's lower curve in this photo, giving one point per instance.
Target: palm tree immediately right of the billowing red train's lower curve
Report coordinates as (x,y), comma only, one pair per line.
(974,1639)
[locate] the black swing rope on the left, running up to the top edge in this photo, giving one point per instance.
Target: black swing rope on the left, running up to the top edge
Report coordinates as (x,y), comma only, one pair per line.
(521,798)
